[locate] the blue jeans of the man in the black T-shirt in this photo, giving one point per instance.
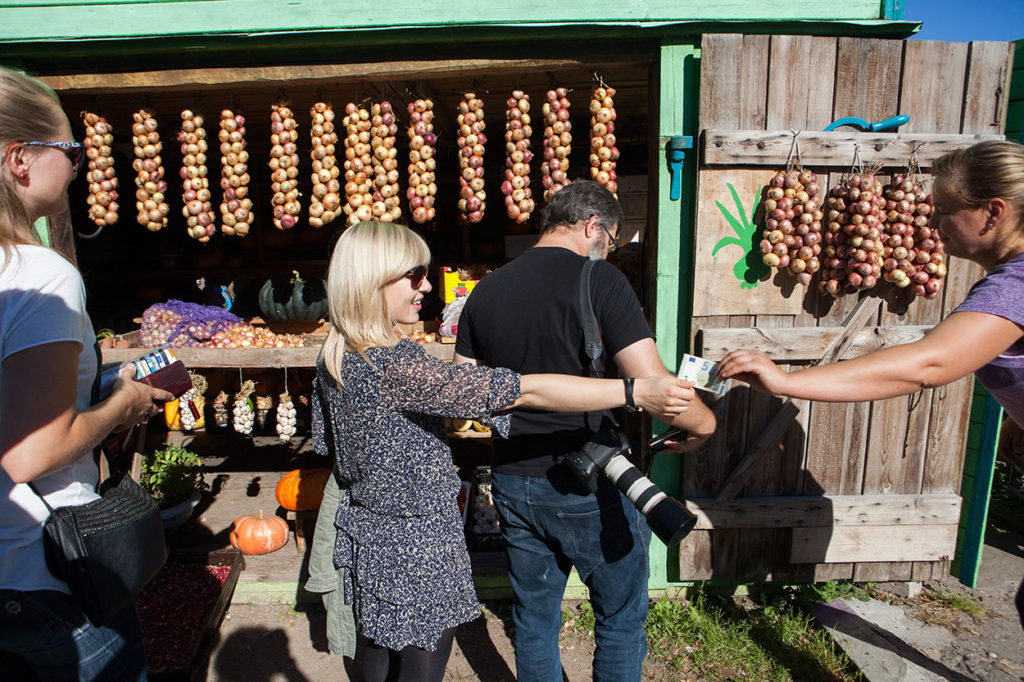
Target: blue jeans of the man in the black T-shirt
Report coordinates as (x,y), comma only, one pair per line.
(552,526)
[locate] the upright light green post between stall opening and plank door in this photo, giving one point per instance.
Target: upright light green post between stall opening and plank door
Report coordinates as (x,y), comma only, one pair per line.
(679,82)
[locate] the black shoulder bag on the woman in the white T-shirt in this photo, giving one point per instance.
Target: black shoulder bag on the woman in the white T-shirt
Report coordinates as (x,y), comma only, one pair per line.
(109,549)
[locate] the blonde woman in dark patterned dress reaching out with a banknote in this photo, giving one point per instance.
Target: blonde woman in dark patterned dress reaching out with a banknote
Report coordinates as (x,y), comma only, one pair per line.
(380,409)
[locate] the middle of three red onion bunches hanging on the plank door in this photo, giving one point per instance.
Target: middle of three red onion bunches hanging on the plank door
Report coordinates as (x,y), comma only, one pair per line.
(855,241)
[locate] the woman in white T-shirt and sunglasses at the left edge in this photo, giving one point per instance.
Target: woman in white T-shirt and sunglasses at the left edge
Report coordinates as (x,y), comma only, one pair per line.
(49,428)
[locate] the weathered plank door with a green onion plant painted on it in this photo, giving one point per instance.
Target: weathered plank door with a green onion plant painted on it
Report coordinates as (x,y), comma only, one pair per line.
(863,491)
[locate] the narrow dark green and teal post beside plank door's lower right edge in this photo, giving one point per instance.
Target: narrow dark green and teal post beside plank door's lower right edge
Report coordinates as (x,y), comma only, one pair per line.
(974,515)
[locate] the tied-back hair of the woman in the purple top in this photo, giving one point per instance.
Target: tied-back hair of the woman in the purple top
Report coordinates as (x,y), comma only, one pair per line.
(985,172)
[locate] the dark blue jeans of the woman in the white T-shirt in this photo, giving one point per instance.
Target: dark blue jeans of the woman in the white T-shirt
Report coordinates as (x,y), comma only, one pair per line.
(45,635)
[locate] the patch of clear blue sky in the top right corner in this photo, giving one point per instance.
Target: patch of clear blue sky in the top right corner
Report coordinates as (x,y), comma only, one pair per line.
(964,22)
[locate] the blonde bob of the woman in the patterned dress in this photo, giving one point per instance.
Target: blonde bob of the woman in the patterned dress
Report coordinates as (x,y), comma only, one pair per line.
(367,259)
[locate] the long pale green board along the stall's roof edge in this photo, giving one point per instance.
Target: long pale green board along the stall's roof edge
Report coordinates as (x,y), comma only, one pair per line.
(93,19)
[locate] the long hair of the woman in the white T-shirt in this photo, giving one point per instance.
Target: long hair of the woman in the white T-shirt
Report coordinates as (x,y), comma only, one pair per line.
(29,111)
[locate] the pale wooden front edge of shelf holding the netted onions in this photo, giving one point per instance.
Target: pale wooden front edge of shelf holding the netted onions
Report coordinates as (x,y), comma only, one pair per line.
(252,358)
